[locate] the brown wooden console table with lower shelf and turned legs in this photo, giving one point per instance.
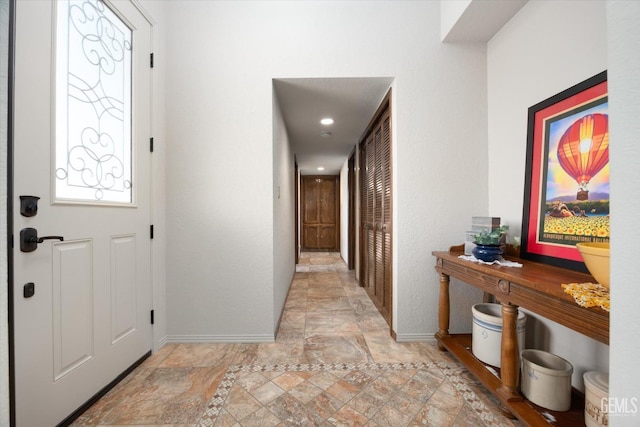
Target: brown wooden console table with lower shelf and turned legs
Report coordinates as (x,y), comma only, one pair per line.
(535,287)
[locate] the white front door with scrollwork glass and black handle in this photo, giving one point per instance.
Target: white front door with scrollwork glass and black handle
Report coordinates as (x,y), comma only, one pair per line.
(81,144)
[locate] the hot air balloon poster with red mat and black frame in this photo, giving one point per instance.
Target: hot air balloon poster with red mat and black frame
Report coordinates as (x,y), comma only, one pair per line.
(566,194)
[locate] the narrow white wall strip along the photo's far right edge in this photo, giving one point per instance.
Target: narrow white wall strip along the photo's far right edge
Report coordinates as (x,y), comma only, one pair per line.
(624,107)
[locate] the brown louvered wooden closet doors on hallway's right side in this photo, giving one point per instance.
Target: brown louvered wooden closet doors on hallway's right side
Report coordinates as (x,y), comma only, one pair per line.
(376,209)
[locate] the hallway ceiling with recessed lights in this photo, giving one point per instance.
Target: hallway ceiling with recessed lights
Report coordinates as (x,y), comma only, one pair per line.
(351,102)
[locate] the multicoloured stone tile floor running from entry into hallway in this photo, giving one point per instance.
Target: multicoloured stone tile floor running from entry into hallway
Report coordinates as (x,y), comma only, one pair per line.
(333,364)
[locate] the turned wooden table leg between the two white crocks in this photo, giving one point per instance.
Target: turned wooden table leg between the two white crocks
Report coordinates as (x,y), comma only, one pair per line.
(509,357)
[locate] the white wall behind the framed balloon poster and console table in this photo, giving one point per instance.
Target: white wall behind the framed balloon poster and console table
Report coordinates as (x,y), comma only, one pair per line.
(546,48)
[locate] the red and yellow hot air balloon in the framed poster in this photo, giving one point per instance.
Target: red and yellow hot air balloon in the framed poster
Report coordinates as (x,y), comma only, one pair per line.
(583,150)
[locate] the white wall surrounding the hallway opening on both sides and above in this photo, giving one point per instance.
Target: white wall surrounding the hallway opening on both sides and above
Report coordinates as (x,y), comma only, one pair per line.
(220,172)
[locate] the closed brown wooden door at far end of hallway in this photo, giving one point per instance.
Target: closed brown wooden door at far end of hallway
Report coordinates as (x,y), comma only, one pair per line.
(320,213)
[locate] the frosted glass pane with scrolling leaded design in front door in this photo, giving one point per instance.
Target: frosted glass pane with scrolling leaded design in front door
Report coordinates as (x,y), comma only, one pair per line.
(93,148)
